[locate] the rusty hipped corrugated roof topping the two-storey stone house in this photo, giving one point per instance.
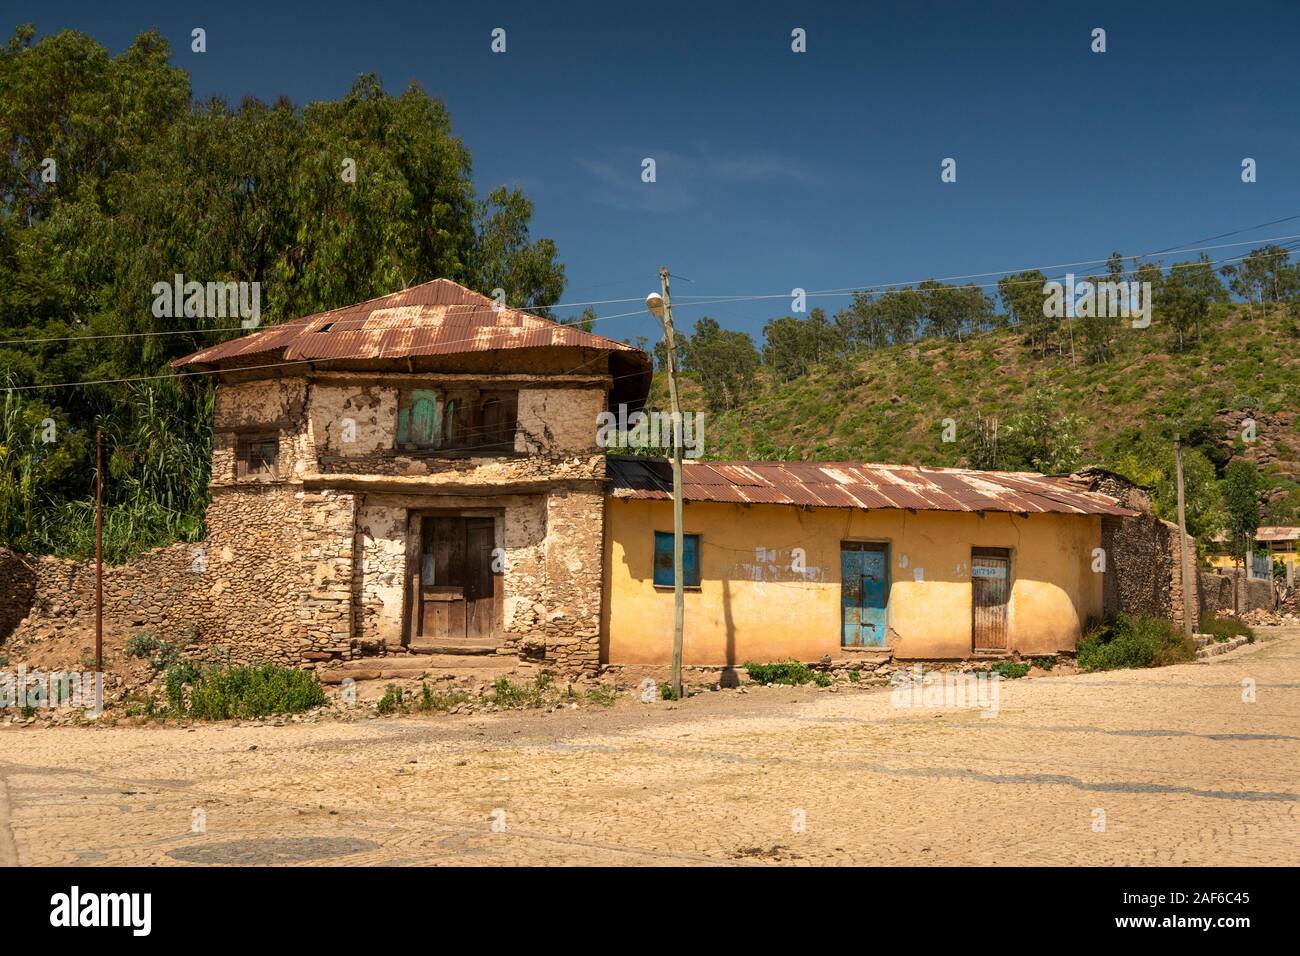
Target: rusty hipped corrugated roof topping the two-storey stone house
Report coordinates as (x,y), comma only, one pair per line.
(439,318)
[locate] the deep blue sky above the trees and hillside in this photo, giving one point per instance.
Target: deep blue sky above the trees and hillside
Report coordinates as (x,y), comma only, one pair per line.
(818,170)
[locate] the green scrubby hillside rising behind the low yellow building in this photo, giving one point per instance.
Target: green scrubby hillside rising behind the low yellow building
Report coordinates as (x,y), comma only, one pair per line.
(1015,406)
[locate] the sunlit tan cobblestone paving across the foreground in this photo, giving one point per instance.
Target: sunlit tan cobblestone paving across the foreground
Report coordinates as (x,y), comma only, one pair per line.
(1182,768)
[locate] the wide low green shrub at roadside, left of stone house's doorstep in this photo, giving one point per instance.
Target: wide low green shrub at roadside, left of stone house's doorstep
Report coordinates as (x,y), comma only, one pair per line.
(220,694)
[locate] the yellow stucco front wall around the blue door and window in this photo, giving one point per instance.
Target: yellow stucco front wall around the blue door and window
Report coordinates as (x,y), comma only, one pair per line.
(752,607)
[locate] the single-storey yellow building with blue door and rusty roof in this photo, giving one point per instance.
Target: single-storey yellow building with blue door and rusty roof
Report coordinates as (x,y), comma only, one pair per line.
(773,577)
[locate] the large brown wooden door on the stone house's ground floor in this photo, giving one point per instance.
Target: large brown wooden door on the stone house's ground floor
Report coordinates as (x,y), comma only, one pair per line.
(458,586)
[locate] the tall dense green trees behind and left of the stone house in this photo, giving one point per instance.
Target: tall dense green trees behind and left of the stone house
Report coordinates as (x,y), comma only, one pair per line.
(115,180)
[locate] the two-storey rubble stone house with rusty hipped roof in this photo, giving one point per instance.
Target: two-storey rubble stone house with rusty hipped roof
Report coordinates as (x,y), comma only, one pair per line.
(417,470)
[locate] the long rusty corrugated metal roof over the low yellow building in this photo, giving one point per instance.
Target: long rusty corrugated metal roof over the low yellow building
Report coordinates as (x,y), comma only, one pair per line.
(859,486)
